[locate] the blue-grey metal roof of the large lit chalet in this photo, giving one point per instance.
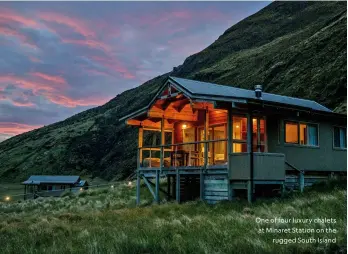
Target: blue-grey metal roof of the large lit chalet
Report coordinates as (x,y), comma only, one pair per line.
(198,88)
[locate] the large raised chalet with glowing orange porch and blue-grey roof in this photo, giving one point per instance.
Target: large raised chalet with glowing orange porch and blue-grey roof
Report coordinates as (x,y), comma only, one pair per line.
(217,142)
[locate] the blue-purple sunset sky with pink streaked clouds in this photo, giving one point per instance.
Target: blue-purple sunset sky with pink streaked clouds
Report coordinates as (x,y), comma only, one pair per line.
(58,59)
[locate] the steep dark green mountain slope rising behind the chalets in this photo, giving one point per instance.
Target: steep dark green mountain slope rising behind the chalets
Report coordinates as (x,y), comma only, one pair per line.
(292,48)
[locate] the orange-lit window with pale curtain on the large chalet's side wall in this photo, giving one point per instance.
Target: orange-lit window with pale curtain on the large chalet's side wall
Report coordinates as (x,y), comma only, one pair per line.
(301,133)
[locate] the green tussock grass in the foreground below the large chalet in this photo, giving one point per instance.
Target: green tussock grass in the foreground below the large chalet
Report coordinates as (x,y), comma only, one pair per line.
(106,221)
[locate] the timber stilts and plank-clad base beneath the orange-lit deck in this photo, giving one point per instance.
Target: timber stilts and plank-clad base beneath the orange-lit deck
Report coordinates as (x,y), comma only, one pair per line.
(187,183)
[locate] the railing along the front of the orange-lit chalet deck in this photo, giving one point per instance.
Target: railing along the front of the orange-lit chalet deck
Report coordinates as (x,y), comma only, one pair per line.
(196,153)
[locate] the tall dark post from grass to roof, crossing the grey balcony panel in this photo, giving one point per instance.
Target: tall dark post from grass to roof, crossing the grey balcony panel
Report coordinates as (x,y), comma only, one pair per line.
(250,152)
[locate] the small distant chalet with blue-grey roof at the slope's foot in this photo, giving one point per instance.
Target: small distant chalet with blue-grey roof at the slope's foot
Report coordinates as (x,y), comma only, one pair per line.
(52,186)
